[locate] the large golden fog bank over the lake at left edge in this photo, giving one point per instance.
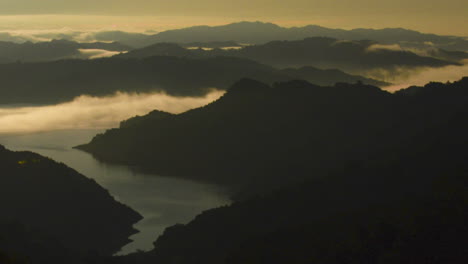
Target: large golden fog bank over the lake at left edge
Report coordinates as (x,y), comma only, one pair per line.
(86,112)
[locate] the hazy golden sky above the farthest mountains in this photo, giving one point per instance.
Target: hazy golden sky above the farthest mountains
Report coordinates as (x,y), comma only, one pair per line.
(448,17)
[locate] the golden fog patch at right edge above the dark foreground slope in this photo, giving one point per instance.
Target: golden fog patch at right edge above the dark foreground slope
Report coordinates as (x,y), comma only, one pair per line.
(422,76)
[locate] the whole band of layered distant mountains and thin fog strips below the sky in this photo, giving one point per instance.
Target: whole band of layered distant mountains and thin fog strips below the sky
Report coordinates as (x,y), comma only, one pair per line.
(354,51)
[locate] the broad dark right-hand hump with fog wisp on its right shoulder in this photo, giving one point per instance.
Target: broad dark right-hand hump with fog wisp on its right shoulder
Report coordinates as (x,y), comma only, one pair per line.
(350,56)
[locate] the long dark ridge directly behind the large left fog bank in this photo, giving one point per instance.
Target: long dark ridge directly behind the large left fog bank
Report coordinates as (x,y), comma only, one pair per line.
(59,81)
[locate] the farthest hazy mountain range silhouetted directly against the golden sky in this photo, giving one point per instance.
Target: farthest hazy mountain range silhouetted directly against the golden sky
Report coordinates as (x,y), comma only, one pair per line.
(261,33)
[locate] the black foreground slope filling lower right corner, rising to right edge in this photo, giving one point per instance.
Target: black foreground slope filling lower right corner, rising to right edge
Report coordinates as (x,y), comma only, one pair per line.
(407,204)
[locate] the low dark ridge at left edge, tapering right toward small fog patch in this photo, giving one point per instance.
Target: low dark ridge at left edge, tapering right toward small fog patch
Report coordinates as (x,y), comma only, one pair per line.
(49,51)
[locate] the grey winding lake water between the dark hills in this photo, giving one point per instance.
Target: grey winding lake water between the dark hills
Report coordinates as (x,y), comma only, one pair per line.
(162,201)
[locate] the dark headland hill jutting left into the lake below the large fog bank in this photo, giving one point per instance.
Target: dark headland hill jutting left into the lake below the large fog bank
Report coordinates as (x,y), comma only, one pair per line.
(250,131)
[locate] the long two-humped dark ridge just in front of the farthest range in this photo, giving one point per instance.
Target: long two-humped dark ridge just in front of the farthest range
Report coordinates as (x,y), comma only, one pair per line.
(356,57)
